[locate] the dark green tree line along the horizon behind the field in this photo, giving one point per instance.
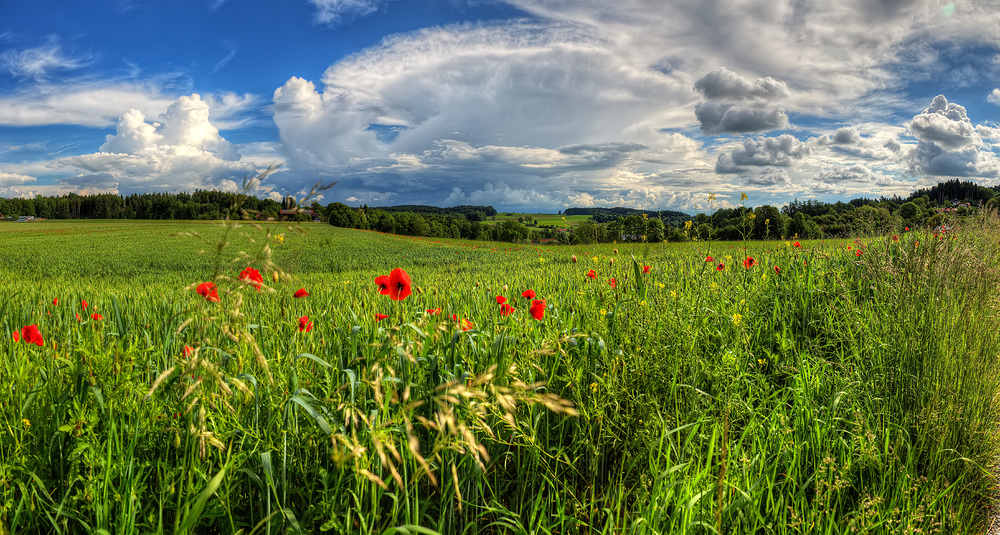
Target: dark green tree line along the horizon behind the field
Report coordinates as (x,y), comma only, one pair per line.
(929,207)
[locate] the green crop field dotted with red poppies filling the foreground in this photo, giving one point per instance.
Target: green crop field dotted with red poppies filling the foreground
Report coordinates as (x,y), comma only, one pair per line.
(175,377)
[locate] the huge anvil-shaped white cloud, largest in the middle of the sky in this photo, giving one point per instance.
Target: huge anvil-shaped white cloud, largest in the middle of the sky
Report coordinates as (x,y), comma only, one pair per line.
(524,107)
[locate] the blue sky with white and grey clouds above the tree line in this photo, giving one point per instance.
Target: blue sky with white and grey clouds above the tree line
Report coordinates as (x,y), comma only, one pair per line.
(534,105)
